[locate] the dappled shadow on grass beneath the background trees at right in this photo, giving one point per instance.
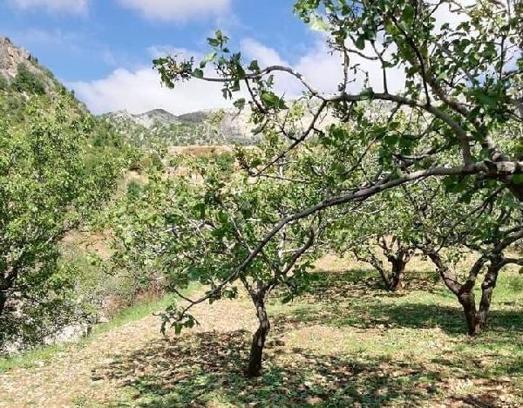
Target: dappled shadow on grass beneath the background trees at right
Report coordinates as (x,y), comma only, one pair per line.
(355,299)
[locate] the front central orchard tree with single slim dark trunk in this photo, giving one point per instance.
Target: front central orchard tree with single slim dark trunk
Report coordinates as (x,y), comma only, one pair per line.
(198,227)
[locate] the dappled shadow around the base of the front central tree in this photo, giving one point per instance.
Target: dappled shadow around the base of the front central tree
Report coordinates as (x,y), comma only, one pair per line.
(194,370)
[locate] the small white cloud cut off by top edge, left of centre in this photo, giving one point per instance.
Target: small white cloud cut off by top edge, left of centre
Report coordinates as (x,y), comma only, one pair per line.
(176,10)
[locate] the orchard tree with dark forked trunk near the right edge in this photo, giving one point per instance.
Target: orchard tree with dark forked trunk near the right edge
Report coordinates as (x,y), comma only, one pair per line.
(453,228)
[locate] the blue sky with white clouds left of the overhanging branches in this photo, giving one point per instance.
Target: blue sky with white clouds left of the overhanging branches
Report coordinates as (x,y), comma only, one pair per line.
(103,48)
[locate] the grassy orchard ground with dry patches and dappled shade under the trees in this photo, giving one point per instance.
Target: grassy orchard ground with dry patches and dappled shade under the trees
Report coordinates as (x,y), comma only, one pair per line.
(346,344)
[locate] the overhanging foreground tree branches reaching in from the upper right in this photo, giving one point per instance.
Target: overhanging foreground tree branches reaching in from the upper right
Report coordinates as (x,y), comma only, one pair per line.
(461,96)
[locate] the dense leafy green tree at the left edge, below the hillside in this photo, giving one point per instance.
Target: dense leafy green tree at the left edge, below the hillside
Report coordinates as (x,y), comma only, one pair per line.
(51,181)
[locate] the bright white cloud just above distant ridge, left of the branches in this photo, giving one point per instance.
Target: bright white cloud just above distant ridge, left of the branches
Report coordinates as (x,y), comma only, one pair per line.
(140,90)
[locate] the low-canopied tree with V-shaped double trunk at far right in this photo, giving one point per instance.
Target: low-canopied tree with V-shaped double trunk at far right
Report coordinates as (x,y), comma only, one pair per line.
(486,228)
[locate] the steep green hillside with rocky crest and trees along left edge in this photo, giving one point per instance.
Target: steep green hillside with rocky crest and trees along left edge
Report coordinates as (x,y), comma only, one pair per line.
(52,151)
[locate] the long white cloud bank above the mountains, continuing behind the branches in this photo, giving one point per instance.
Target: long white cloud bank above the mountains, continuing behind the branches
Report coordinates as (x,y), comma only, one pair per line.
(140,90)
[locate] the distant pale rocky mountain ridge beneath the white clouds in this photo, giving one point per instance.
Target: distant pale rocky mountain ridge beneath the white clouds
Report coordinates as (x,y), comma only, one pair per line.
(218,127)
